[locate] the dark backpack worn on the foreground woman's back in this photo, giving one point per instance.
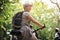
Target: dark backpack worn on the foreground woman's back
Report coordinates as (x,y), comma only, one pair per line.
(17,19)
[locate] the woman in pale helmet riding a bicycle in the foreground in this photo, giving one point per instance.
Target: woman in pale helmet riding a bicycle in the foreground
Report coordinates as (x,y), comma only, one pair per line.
(26,19)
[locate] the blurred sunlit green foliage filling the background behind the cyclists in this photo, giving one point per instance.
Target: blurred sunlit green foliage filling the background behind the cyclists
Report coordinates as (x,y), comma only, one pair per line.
(41,11)
